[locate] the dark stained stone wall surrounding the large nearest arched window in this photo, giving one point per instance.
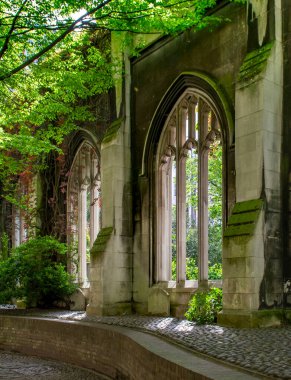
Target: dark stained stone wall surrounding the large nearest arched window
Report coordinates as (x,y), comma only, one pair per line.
(217,54)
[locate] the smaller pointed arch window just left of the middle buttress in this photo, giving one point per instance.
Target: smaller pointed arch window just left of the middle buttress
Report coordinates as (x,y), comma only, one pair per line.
(84,209)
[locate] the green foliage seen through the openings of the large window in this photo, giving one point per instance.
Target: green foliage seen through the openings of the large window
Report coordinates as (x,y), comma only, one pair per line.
(214,215)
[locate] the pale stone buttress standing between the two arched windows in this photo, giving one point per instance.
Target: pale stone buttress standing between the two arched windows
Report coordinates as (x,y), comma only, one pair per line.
(111,263)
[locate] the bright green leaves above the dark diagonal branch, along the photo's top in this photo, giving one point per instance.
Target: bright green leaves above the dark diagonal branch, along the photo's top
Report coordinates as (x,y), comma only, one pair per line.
(29,29)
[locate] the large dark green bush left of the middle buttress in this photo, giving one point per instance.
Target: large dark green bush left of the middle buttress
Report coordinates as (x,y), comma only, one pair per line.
(36,272)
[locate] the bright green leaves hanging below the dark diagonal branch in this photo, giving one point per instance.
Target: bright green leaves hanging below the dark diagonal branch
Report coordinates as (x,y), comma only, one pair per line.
(48,100)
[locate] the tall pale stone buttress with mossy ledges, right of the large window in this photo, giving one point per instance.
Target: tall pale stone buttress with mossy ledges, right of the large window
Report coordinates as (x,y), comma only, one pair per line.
(252,266)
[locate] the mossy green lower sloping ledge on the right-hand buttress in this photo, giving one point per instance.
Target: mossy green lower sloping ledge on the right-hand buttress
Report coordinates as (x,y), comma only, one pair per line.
(243,218)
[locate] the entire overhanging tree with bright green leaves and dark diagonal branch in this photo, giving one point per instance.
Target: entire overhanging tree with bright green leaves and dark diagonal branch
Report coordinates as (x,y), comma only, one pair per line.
(44,73)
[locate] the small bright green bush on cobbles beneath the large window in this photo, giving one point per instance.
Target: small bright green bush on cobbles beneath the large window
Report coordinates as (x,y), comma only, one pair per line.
(204,306)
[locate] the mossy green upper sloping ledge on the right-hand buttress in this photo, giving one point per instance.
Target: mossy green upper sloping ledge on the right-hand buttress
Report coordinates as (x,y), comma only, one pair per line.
(255,62)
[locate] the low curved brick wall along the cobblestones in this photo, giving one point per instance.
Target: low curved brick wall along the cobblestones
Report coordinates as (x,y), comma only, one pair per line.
(108,350)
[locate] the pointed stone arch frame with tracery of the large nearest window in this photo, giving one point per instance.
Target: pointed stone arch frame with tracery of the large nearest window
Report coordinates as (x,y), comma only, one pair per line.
(187,86)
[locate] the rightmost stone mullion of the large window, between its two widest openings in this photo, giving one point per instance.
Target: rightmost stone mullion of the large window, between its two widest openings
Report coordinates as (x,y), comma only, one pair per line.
(203,197)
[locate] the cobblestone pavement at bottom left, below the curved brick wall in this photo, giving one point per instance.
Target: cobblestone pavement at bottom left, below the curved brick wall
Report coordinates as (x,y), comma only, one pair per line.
(20,367)
